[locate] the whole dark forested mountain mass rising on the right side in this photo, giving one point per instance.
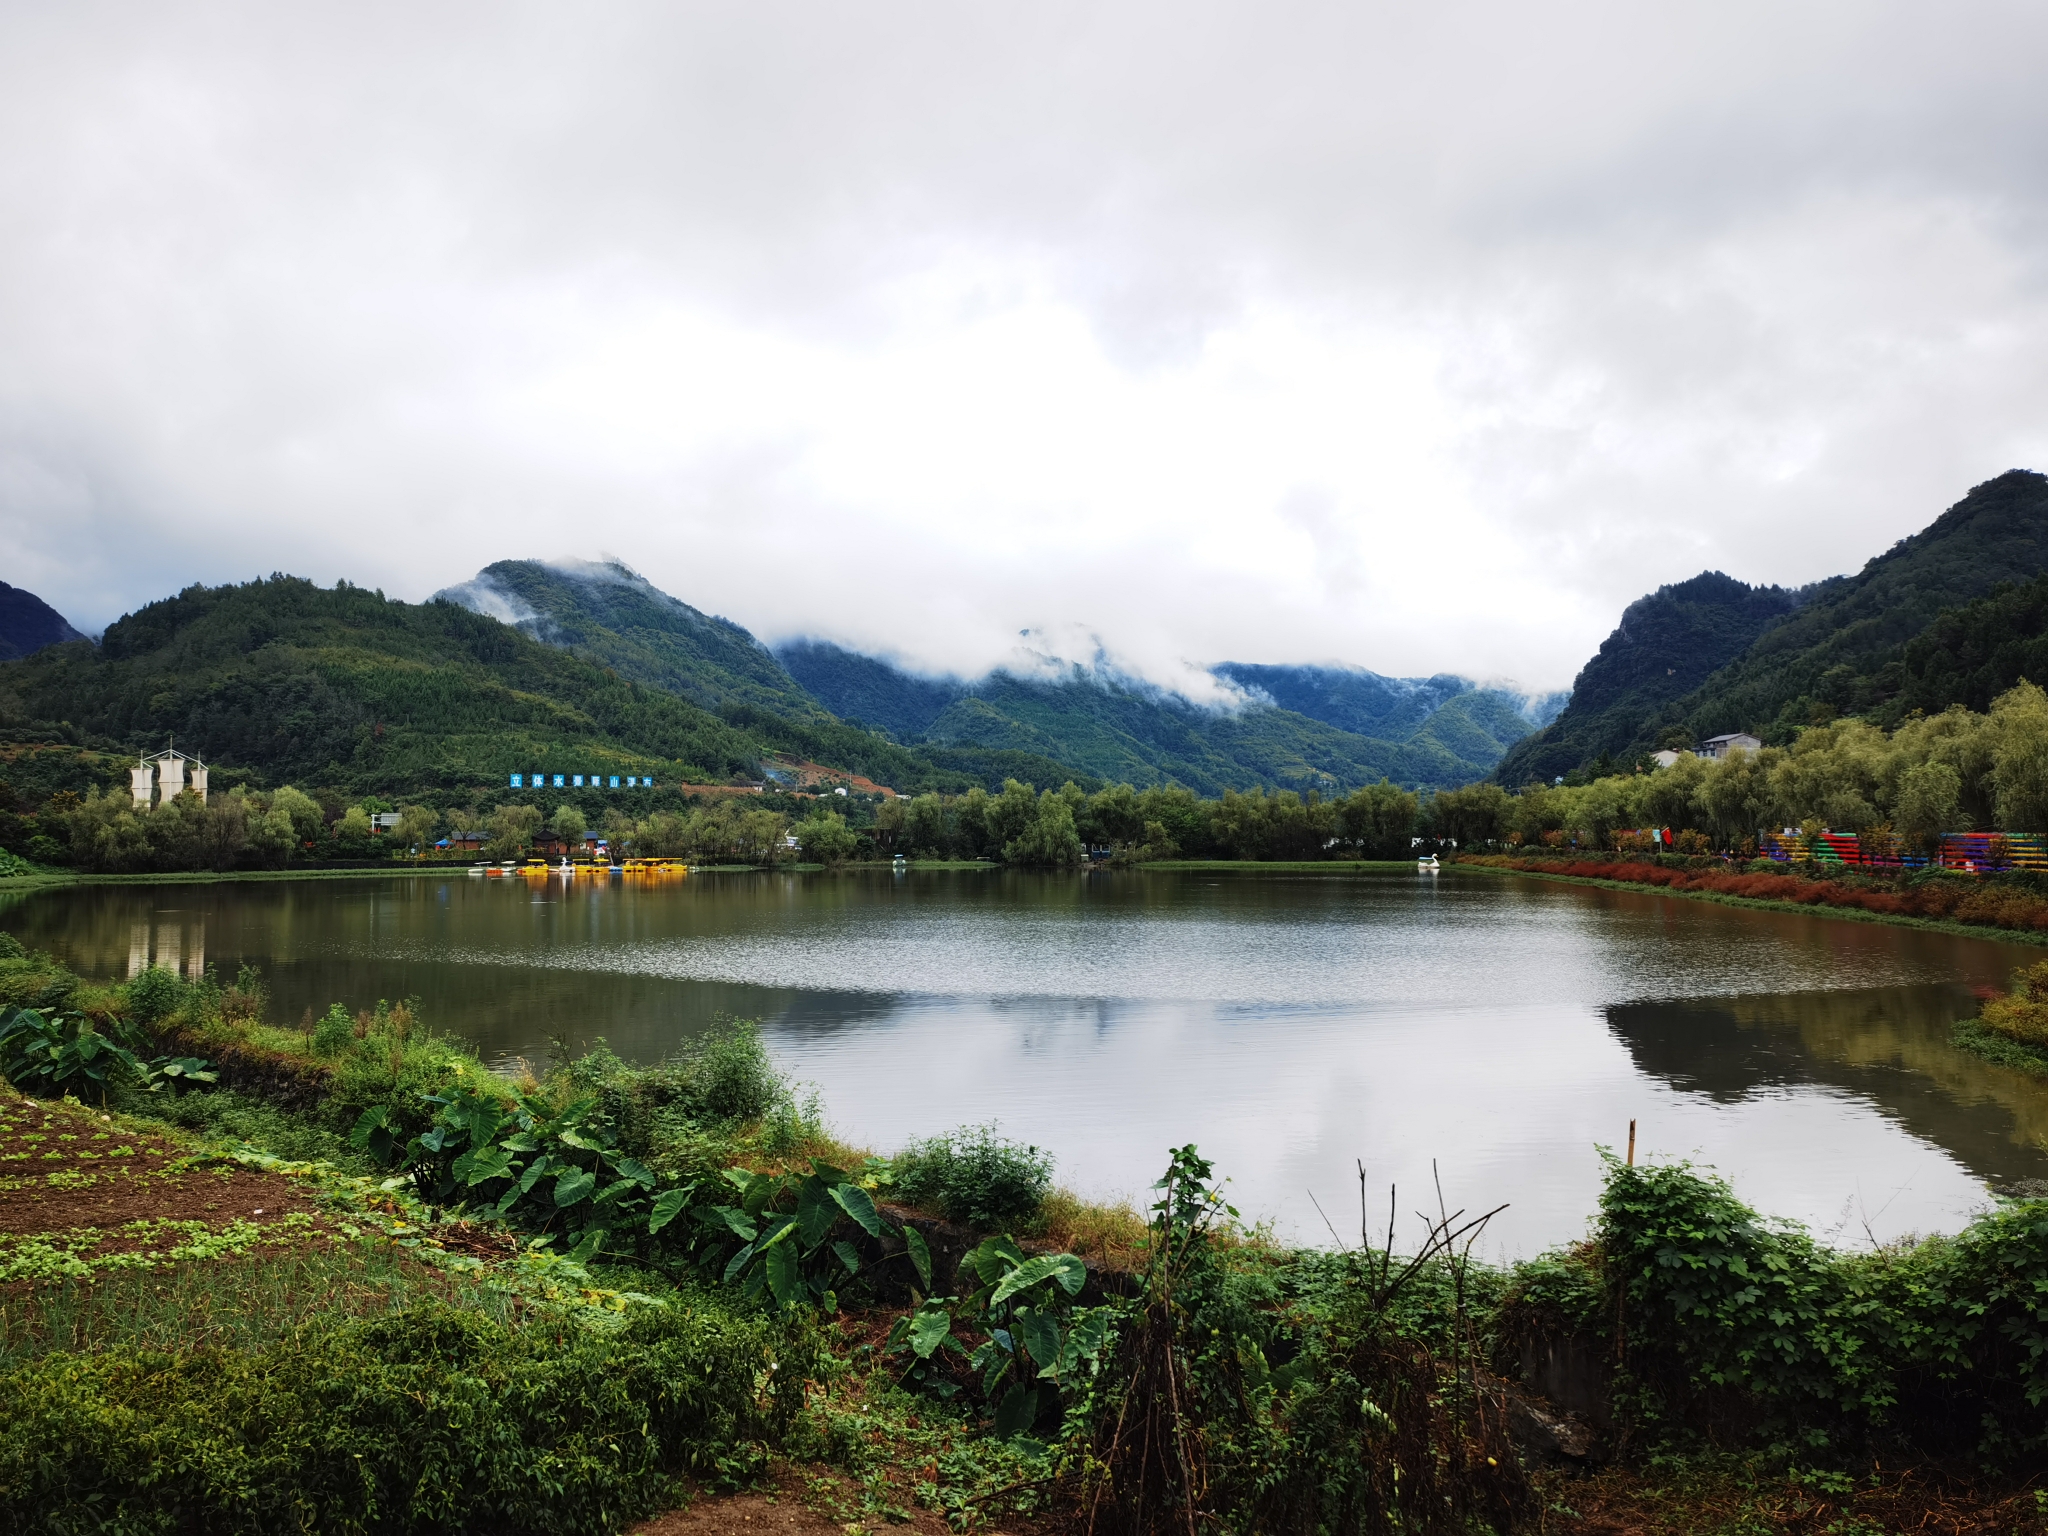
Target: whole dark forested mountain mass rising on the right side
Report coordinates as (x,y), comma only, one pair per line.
(1908,632)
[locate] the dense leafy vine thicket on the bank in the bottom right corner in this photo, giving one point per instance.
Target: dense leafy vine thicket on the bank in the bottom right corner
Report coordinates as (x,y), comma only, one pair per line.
(1940,1347)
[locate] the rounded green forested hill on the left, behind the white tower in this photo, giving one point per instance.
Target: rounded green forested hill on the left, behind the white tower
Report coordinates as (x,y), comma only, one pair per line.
(349,689)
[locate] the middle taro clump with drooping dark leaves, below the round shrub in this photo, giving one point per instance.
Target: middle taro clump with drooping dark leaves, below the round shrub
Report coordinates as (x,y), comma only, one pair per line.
(796,1234)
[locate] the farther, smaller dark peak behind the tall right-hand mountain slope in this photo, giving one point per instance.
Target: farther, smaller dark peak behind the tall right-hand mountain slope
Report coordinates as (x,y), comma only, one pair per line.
(1666,646)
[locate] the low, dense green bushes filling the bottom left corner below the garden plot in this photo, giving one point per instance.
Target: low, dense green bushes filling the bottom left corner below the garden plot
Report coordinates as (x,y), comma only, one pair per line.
(427,1420)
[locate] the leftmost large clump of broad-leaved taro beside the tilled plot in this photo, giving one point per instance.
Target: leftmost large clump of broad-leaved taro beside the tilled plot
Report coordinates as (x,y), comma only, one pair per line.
(525,1162)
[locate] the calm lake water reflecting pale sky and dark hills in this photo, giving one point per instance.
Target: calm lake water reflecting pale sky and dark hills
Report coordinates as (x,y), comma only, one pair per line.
(1293,1025)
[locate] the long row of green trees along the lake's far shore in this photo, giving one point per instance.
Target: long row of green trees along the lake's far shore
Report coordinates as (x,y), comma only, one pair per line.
(1902,790)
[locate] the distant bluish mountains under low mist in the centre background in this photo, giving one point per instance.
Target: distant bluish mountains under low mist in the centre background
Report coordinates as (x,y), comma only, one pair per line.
(1433,732)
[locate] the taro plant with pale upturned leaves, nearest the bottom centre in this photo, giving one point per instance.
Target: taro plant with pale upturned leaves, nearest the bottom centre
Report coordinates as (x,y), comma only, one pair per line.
(1037,1340)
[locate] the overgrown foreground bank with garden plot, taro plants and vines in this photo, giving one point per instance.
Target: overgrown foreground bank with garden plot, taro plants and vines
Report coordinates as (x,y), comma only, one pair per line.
(359,1283)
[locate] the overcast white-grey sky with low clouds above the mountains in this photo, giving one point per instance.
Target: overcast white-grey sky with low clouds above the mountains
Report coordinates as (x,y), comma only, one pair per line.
(1410,337)
